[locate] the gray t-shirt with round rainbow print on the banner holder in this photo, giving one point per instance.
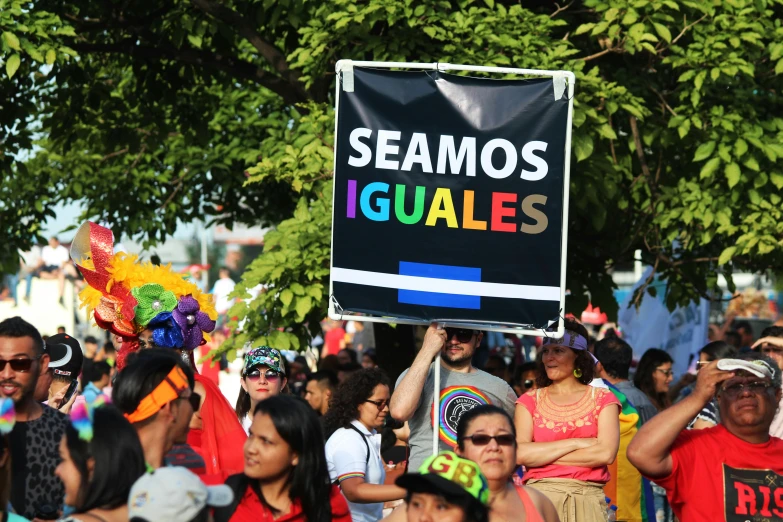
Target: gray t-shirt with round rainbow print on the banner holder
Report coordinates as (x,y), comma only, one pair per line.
(460,392)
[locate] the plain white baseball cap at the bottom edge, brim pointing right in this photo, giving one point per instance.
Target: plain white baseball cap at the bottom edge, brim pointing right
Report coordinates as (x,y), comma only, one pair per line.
(174,494)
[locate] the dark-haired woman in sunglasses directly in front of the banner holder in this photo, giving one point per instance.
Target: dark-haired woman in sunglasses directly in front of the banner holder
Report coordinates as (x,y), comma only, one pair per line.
(486,435)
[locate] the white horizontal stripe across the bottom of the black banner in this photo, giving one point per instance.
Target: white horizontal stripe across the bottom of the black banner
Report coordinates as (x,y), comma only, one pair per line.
(442,285)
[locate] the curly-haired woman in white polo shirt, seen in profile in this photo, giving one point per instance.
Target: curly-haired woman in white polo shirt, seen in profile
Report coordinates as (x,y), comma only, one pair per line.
(356,413)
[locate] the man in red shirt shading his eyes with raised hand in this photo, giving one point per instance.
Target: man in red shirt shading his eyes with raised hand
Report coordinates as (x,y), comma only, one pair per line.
(732,472)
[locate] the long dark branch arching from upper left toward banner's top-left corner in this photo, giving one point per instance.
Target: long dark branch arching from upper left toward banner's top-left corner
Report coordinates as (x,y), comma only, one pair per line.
(228,64)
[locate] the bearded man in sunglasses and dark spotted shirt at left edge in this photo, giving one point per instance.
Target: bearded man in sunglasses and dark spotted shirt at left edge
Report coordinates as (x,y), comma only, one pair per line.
(39,428)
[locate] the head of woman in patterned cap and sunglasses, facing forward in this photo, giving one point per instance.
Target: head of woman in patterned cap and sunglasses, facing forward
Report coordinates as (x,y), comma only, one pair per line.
(263,376)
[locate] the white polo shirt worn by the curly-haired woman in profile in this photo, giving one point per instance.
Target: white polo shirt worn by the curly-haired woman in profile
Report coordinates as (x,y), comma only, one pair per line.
(346,456)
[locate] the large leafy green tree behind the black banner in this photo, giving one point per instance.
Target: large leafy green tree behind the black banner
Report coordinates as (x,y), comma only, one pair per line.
(676,139)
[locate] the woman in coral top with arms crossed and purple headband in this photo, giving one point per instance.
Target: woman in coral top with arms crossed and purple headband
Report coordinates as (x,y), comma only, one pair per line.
(567,431)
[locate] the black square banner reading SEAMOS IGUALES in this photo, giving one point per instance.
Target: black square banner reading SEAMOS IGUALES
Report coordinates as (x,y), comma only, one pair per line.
(448,199)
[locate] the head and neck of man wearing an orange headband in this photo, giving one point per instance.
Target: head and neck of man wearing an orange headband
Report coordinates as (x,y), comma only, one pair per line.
(155,392)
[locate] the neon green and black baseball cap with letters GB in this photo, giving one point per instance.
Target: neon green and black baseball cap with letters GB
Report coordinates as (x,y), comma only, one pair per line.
(448,474)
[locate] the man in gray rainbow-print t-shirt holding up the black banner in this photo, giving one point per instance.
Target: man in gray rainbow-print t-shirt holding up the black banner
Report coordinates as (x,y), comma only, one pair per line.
(462,388)
